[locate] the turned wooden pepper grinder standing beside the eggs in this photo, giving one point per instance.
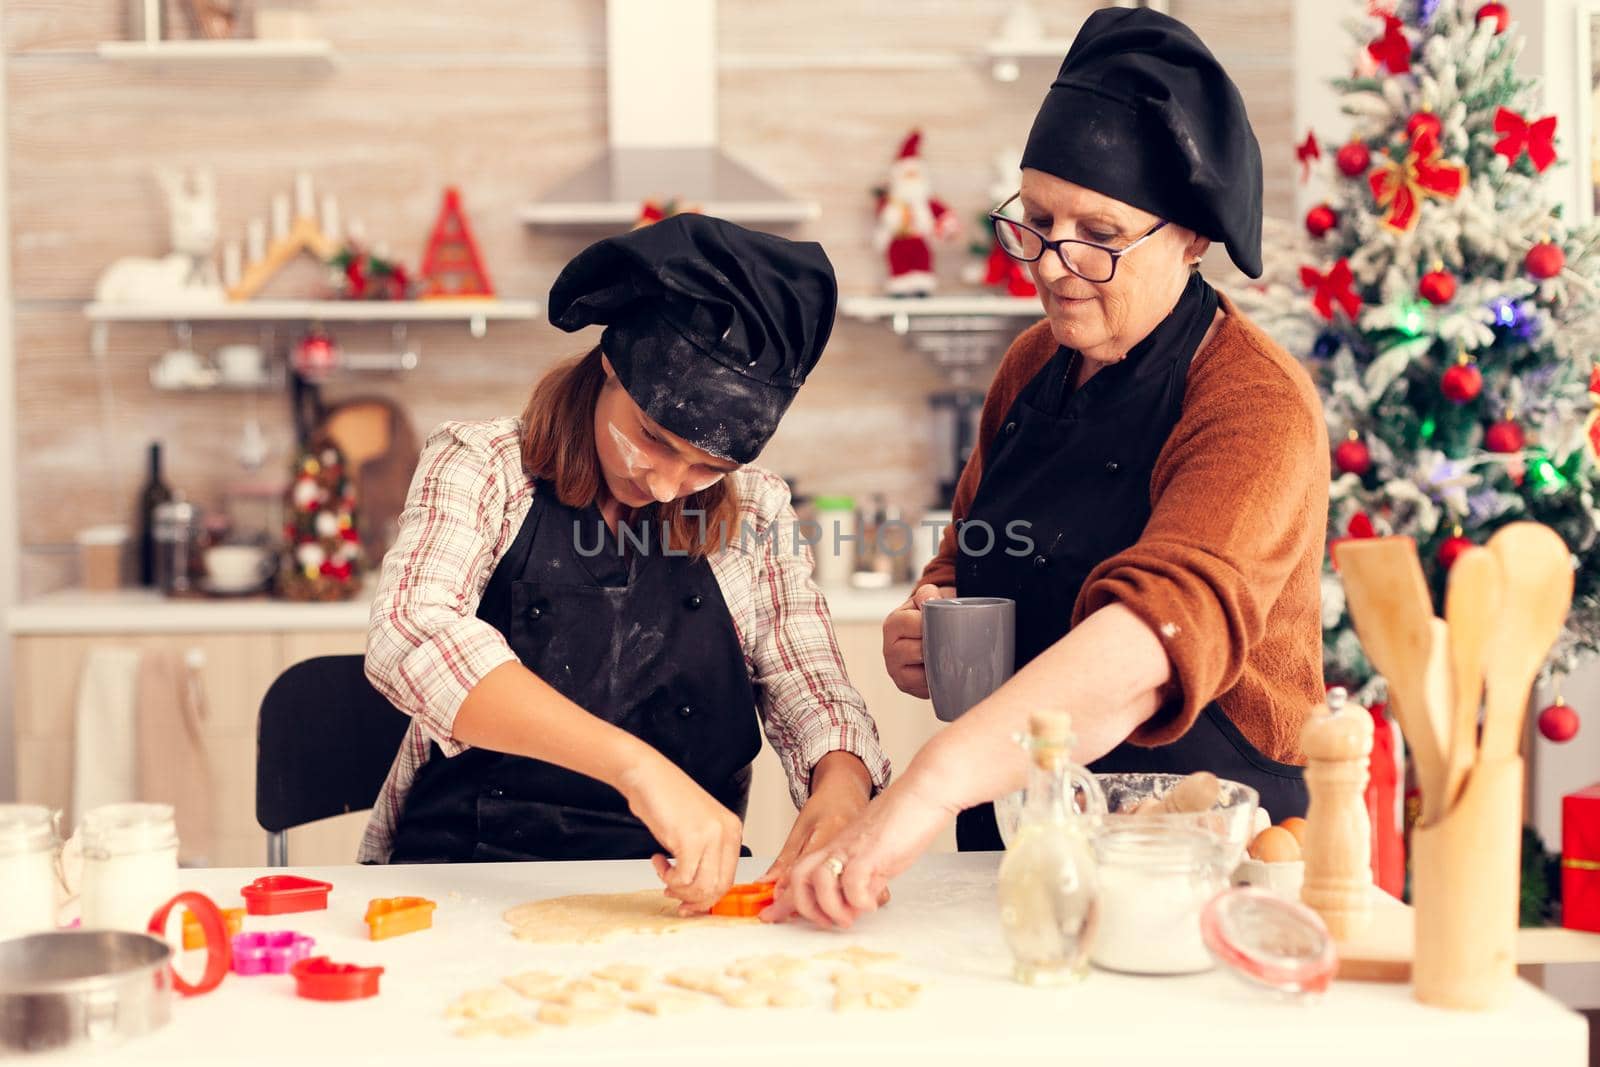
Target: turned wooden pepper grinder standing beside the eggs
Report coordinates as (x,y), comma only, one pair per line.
(1338,745)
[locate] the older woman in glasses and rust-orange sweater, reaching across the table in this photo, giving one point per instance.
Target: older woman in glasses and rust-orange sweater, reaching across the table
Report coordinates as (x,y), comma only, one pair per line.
(1167,458)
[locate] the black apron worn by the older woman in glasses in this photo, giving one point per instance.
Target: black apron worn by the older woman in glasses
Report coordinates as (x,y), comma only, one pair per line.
(1078,466)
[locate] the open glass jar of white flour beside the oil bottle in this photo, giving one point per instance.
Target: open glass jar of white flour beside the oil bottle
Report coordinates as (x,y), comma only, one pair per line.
(1154,882)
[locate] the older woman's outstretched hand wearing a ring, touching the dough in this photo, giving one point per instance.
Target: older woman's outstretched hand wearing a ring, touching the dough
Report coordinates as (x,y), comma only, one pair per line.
(836,885)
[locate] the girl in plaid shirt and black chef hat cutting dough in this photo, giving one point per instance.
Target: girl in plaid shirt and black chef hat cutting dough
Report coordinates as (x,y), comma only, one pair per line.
(591,610)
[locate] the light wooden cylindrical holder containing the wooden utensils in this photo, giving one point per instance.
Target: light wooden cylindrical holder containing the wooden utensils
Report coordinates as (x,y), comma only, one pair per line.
(1466,876)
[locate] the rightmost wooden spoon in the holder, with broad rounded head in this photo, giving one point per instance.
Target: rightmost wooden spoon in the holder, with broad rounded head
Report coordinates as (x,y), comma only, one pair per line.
(1538,583)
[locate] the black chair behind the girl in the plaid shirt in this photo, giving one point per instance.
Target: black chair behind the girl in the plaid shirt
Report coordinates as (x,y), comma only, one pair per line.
(324,746)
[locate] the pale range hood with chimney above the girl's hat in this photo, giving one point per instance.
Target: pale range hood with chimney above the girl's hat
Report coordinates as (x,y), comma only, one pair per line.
(662,113)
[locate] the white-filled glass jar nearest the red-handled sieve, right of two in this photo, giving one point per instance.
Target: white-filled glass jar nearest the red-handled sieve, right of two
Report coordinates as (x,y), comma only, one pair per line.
(130,865)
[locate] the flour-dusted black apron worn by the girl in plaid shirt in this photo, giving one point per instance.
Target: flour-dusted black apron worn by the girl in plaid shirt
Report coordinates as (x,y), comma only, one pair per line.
(641,639)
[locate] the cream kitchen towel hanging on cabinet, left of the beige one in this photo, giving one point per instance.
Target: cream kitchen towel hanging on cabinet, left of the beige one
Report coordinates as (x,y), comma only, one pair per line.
(103,765)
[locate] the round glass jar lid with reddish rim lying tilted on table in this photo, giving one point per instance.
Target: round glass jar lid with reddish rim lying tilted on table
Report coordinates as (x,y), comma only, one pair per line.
(1270,941)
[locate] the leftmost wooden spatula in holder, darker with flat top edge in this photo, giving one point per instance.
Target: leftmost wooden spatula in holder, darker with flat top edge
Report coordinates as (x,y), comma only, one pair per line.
(1393,613)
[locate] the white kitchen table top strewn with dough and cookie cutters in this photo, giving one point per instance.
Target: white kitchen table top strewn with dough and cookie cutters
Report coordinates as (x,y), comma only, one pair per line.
(943,922)
